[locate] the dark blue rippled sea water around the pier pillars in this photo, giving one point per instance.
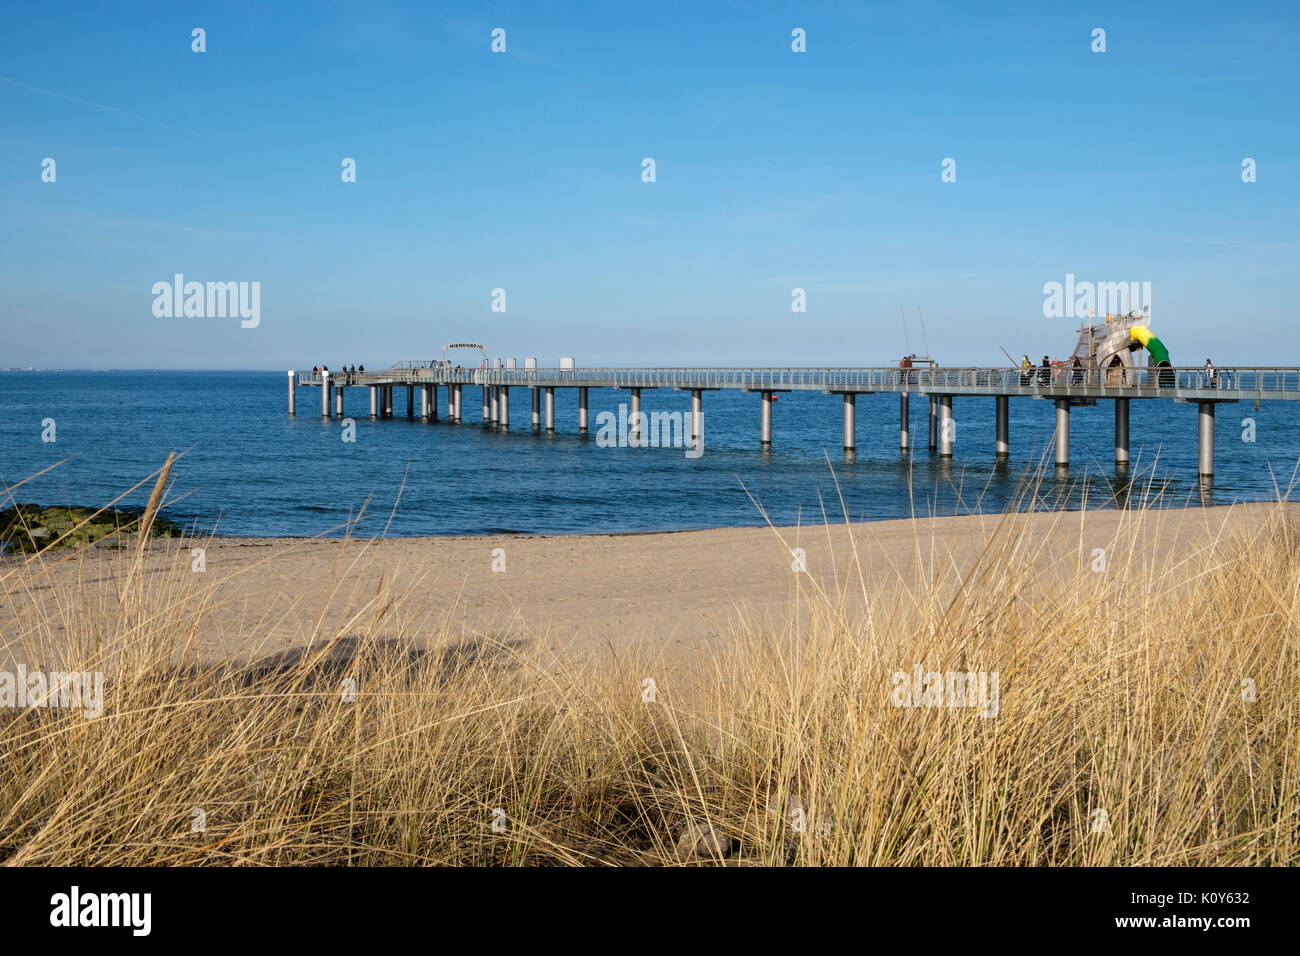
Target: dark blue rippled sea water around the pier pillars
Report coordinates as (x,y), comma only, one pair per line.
(254,471)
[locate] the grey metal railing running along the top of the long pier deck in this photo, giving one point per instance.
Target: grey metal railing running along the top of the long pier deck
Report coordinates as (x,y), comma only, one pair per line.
(1232,384)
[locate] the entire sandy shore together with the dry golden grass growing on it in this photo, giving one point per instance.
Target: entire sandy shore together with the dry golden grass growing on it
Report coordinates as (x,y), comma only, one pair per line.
(668,699)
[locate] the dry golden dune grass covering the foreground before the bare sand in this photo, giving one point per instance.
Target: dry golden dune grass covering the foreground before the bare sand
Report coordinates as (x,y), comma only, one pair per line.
(1124,734)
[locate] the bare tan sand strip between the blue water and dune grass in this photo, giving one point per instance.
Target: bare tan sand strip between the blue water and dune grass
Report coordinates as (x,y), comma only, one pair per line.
(590,594)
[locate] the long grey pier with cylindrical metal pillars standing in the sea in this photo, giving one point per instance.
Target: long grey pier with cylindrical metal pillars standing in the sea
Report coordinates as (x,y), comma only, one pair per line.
(1065,388)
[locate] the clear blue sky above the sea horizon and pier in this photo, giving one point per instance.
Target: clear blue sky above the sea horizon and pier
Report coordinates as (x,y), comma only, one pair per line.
(523,171)
